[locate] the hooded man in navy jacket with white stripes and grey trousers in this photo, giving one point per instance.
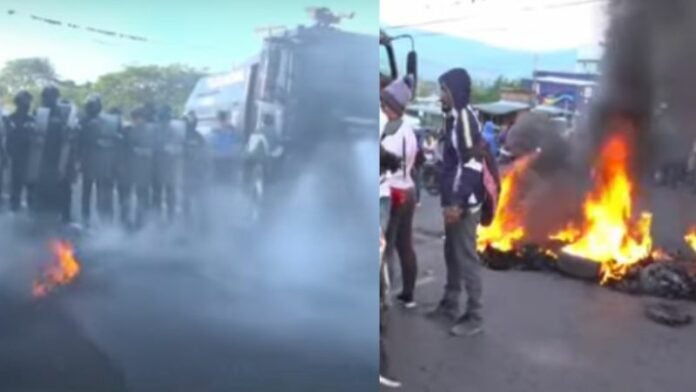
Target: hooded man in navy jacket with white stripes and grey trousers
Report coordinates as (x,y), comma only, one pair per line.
(462,193)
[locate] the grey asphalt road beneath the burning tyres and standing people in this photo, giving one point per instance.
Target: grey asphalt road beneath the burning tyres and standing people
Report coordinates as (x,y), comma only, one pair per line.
(543,332)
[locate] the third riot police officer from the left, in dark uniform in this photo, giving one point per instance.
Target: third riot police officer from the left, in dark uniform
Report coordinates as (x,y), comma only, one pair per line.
(99,139)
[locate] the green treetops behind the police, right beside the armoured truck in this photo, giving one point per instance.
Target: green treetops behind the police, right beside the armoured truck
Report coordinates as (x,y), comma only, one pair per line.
(137,85)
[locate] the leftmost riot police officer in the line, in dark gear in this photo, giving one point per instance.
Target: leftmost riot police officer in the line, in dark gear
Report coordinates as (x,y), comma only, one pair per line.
(21,130)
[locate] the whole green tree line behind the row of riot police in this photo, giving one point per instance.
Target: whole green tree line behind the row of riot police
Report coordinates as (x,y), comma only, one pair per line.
(126,89)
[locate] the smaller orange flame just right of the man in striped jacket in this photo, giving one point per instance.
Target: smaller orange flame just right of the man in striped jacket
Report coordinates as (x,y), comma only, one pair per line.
(507,228)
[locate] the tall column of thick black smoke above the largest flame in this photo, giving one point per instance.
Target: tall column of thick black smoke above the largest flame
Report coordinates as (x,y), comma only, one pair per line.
(647,76)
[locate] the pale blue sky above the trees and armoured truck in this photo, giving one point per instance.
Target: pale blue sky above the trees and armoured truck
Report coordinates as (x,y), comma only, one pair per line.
(215,34)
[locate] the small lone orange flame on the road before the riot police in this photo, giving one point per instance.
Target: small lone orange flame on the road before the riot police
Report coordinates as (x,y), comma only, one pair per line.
(62,270)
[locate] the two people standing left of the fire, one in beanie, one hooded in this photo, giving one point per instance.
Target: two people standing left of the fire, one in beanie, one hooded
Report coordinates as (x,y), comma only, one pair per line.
(469,187)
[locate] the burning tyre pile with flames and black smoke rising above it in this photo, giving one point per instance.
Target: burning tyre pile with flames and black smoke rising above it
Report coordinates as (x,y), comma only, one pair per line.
(609,238)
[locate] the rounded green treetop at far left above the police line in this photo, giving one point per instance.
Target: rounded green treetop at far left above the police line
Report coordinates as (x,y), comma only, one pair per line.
(28,73)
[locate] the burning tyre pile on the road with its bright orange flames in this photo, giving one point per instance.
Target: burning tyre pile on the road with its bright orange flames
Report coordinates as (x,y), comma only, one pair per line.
(610,241)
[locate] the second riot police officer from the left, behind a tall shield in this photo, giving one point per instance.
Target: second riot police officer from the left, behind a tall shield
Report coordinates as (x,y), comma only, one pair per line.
(52,155)
